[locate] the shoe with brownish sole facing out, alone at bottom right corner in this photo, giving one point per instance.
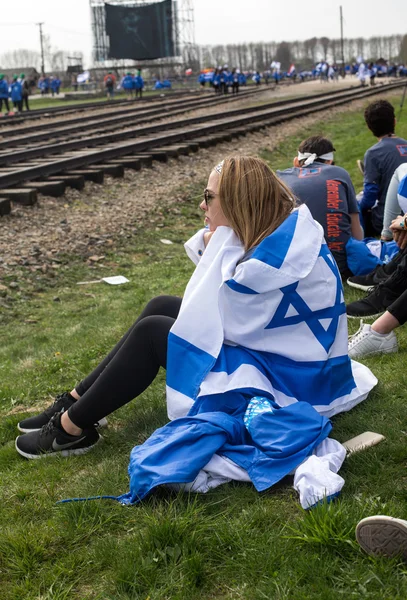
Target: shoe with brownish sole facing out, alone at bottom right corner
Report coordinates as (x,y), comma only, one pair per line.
(383,536)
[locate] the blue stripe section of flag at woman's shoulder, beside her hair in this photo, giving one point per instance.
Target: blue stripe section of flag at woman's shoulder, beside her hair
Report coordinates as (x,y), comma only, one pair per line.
(274,248)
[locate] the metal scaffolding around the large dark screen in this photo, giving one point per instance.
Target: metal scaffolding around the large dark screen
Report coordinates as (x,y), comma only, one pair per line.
(183,28)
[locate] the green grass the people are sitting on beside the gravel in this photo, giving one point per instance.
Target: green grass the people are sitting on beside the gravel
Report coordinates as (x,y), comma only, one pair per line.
(230,544)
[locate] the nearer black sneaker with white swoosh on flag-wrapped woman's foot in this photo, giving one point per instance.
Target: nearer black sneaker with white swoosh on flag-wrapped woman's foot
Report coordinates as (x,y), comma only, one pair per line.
(52,440)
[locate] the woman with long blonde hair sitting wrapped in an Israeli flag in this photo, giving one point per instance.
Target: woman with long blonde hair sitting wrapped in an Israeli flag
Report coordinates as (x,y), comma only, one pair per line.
(262,315)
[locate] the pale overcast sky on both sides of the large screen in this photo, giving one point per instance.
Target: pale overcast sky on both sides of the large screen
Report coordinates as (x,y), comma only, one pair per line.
(216,21)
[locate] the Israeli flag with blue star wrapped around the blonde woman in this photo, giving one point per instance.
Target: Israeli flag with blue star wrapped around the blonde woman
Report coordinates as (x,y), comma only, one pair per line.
(271,324)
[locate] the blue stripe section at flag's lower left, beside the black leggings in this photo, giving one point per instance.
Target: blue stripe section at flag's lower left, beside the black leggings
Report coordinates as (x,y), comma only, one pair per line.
(187,365)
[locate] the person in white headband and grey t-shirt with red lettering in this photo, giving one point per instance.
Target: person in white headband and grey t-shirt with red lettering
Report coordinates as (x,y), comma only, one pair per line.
(328,192)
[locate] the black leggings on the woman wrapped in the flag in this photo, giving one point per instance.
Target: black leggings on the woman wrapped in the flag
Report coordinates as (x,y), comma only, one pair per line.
(130,367)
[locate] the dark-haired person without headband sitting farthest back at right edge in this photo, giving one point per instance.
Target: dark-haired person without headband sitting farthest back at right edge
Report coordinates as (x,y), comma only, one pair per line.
(380,163)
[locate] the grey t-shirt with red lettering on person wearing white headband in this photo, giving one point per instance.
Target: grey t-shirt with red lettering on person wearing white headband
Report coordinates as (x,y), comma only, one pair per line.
(328,192)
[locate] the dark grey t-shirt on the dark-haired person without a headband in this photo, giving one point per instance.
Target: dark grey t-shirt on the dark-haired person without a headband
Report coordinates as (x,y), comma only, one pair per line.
(381,160)
